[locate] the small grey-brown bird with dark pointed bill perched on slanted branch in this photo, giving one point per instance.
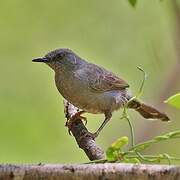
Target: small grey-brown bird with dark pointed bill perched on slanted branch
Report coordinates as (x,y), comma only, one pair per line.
(92,88)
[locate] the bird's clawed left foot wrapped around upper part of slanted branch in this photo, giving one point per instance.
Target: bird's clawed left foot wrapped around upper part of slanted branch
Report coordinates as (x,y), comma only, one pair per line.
(76,116)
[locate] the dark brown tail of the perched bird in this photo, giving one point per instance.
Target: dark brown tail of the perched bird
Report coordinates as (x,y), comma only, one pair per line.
(147,111)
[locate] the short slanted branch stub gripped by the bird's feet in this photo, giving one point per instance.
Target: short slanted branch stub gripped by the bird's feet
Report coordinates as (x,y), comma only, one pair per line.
(81,134)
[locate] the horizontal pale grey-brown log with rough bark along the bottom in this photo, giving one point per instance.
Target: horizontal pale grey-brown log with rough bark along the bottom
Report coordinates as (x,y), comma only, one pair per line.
(90,171)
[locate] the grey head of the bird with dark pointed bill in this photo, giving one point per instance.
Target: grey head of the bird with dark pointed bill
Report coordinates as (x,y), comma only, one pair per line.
(60,59)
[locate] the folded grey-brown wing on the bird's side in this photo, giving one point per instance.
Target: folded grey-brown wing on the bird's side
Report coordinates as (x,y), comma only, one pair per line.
(101,80)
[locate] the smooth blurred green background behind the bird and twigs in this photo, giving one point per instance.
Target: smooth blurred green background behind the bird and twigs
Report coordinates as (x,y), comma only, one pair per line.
(109,33)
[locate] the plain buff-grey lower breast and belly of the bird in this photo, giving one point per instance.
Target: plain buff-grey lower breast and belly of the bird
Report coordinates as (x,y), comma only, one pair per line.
(82,97)
